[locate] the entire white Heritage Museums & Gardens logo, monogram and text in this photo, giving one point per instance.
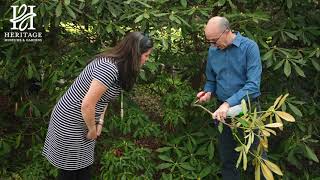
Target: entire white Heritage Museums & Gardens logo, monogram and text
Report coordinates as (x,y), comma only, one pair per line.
(23,29)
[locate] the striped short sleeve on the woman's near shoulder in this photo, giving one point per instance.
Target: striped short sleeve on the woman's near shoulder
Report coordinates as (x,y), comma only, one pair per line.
(106,73)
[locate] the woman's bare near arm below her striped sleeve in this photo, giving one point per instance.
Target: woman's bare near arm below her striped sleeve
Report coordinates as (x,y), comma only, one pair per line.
(88,105)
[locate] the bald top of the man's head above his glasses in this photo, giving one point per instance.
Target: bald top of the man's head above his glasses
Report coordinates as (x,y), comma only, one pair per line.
(217,24)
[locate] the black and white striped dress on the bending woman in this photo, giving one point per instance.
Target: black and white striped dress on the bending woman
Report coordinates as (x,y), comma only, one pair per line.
(66,146)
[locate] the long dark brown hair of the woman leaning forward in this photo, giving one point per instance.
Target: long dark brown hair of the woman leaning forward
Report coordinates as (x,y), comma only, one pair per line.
(127,56)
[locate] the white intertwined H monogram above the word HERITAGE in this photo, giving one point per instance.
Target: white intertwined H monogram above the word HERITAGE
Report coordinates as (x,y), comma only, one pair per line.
(23,17)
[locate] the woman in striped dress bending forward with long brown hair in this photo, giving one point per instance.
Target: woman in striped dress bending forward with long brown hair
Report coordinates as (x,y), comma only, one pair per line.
(74,123)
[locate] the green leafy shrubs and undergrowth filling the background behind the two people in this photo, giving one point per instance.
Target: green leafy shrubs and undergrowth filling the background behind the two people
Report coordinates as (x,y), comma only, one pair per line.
(161,136)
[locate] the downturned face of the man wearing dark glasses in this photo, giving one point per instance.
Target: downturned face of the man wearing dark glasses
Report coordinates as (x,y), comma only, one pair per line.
(216,37)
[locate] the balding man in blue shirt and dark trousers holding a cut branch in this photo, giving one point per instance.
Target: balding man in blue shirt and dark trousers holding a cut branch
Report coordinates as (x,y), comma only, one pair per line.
(233,71)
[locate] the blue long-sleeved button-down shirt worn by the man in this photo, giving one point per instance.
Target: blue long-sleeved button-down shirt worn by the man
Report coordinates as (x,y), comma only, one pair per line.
(234,72)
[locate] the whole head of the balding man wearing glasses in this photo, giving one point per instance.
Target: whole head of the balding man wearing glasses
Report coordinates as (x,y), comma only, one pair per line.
(218,32)
